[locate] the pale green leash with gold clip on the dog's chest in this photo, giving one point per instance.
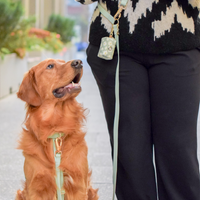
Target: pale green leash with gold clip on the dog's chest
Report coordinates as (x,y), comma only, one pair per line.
(57,142)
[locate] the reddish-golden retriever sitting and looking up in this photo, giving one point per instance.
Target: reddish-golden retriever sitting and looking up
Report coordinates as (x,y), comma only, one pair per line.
(49,89)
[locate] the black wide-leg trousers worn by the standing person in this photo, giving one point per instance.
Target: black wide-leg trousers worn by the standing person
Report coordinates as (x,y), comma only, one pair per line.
(159,102)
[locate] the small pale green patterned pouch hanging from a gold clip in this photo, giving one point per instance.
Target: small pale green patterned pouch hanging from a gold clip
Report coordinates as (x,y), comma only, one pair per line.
(107,48)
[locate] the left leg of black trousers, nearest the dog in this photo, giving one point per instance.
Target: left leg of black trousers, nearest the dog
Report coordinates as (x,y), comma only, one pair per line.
(135,178)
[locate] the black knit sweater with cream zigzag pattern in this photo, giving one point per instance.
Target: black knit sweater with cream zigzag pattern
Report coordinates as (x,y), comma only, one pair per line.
(150,26)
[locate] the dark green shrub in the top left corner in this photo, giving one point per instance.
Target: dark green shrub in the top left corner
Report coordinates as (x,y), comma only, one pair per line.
(10,14)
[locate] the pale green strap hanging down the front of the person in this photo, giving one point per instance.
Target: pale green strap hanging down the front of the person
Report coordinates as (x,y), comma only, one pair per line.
(112,19)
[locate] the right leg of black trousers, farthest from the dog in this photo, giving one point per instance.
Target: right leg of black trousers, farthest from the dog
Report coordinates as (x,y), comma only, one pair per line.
(174,93)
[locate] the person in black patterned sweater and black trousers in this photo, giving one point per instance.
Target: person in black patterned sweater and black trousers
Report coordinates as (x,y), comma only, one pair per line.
(159,87)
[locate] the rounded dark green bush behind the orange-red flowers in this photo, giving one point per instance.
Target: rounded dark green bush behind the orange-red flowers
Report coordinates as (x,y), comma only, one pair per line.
(63,26)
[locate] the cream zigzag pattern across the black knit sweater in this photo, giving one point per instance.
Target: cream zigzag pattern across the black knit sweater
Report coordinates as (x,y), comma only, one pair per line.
(159,26)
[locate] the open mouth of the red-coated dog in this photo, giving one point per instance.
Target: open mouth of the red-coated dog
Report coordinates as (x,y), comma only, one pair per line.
(73,86)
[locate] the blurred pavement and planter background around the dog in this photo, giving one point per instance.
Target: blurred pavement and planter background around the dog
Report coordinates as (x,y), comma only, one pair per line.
(31,31)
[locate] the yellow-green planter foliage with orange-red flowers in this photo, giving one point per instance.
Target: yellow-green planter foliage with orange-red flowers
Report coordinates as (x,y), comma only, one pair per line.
(27,38)
